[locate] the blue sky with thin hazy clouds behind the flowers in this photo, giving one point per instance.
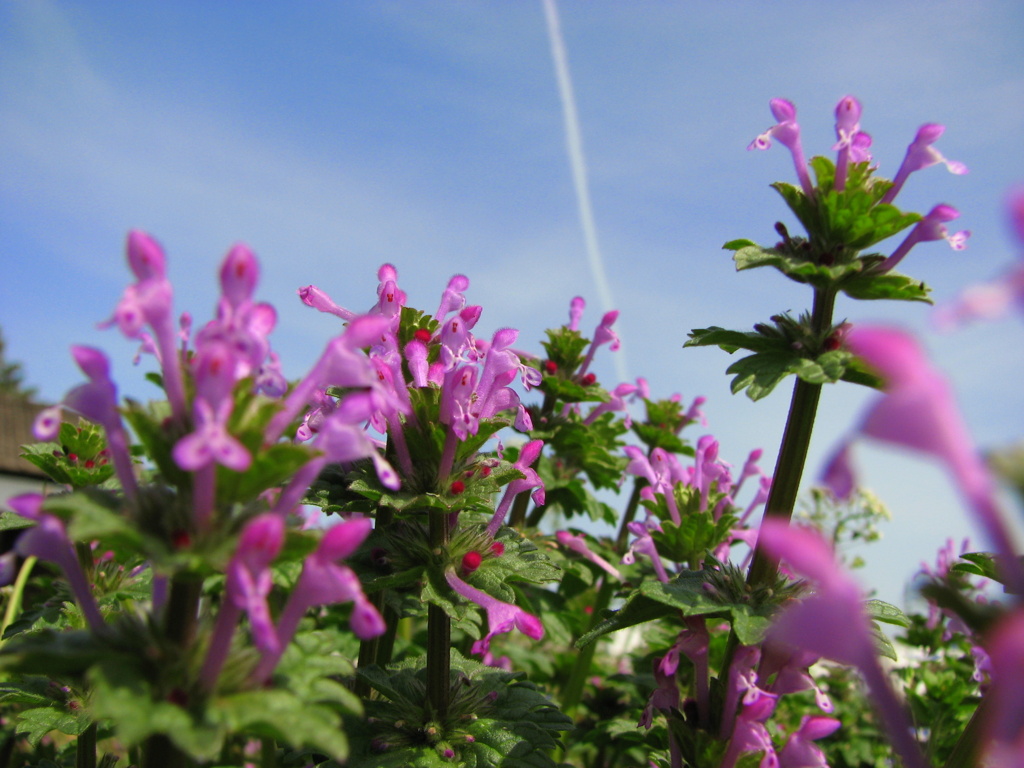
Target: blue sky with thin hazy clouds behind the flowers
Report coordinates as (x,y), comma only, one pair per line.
(335,137)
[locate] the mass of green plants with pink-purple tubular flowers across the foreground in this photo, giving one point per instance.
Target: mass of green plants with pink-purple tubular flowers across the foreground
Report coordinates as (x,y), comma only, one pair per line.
(392,562)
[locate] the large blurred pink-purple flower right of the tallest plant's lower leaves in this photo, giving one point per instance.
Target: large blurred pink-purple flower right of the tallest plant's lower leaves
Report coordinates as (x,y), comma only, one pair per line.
(919,412)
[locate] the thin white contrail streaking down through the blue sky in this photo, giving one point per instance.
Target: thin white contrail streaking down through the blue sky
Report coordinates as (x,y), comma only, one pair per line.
(575,145)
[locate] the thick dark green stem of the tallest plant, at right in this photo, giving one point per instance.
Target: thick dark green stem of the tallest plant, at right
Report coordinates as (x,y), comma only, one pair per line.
(796,441)
